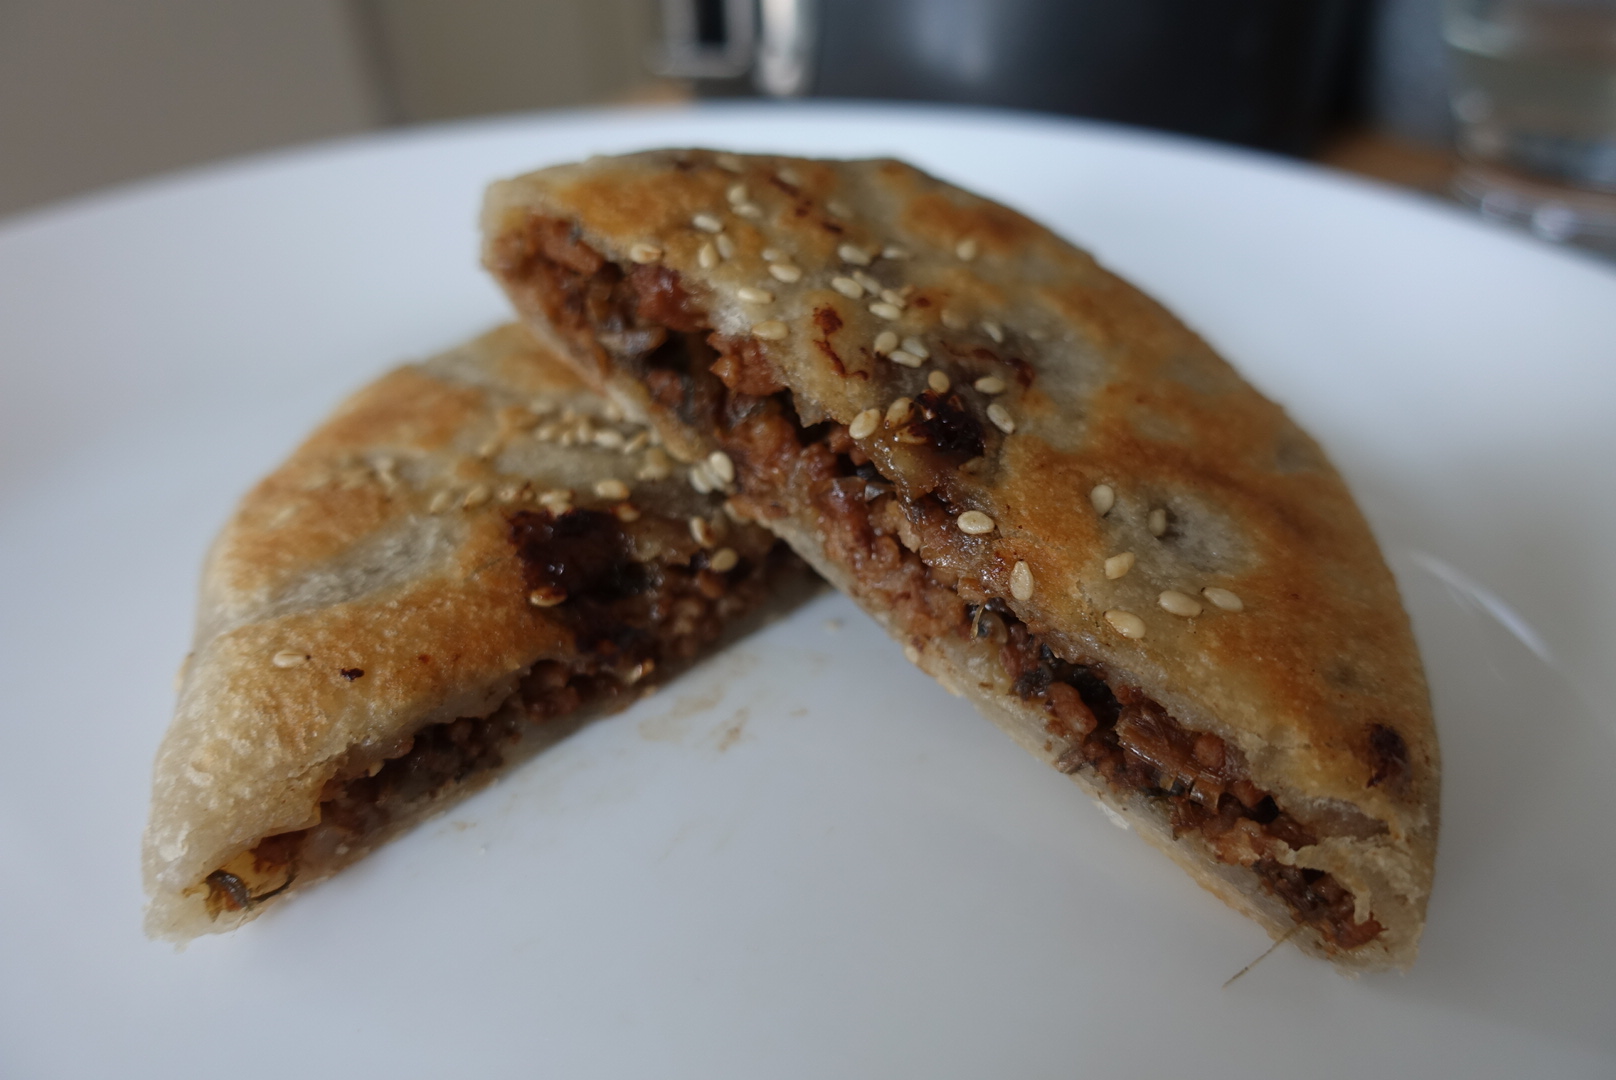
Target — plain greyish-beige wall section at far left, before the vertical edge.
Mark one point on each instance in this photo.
(101, 91)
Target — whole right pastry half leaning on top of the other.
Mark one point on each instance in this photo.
(1063, 502)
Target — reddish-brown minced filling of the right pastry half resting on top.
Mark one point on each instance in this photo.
(725, 392)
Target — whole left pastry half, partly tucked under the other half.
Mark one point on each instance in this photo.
(469, 559)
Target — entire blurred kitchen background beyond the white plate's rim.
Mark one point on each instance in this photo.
(1509, 106)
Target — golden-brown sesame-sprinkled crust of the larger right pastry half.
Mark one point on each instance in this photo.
(1101, 387)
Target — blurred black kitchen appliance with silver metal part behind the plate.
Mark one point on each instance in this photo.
(1265, 74)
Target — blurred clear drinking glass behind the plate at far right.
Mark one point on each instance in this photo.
(1534, 98)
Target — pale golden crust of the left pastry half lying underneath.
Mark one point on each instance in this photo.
(369, 588)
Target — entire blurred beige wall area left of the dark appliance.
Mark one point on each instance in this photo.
(103, 91)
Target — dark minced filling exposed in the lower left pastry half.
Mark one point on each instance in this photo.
(629, 620)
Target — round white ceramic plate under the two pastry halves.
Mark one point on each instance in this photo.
(804, 859)
